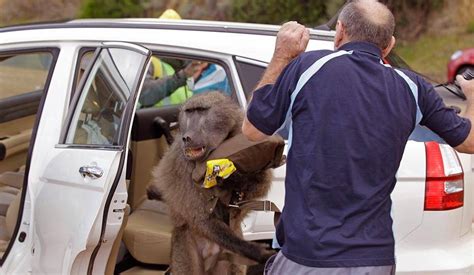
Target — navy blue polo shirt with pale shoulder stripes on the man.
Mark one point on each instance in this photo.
(349, 118)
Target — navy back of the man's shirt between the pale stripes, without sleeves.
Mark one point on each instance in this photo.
(350, 124)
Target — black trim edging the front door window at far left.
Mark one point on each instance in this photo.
(55, 54)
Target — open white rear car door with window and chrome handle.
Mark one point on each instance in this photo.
(78, 196)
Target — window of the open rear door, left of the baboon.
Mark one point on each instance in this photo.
(105, 91)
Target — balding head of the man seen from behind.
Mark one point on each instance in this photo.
(369, 21)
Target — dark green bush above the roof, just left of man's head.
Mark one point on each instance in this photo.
(278, 11)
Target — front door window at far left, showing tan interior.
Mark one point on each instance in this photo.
(23, 76)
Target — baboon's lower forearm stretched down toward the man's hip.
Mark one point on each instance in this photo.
(220, 233)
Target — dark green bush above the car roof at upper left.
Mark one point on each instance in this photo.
(111, 8)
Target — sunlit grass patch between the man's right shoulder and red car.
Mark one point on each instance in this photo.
(430, 54)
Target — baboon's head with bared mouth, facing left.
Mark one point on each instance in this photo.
(205, 122)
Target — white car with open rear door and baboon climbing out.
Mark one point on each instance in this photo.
(76, 151)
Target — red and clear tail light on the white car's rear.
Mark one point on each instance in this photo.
(444, 178)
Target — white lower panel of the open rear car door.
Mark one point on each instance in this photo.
(70, 232)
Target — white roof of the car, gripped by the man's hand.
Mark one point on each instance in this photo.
(255, 41)
